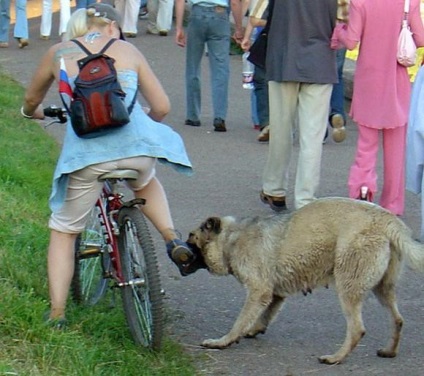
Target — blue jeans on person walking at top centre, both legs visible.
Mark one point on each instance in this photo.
(210, 26)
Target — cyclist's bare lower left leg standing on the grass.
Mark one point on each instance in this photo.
(60, 267)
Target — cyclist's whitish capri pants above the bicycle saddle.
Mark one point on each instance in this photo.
(84, 189)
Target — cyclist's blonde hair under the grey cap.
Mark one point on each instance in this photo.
(83, 20)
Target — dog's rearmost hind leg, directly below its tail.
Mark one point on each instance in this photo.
(385, 292)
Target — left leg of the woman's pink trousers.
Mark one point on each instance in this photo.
(362, 172)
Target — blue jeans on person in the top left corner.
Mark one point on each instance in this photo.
(21, 25)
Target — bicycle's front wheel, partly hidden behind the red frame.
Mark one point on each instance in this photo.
(88, 284)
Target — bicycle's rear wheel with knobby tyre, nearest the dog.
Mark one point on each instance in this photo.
(142, 299)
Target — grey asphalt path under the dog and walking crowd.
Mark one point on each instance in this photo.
(227, 181)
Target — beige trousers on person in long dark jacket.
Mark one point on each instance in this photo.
(307, 106)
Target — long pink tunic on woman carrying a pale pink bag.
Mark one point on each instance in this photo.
(381, 87)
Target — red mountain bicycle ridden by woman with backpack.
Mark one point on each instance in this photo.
(116, 251)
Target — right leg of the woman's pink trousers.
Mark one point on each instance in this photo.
(393, 193)
